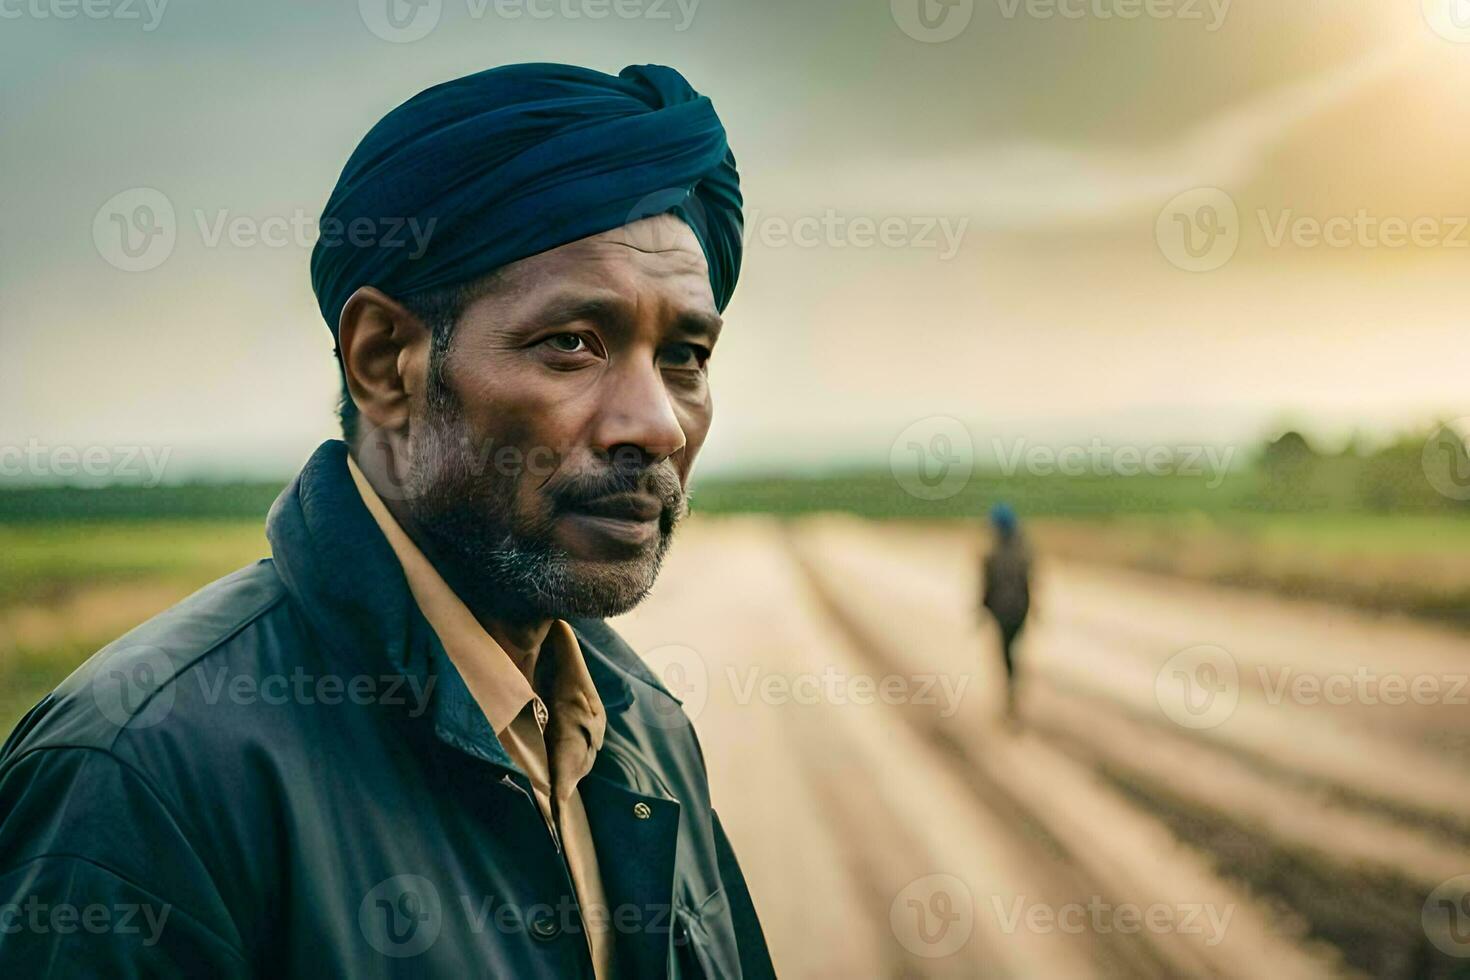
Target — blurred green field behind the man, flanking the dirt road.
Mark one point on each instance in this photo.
(83, 566)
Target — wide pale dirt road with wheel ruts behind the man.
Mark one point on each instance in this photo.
(1206, 782)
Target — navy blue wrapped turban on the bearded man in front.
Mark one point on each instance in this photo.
(509, 162)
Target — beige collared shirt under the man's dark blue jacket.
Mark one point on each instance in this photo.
(553, 744)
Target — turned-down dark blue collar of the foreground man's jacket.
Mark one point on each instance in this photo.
(348, 583)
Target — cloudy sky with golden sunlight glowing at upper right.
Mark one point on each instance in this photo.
(1052, 221)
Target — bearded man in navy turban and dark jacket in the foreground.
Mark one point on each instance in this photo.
(408, 744)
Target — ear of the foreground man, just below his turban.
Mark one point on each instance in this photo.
(386, 358)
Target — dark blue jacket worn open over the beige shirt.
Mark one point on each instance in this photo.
(286, 777)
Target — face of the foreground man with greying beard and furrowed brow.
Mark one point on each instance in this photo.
(551, 462)
